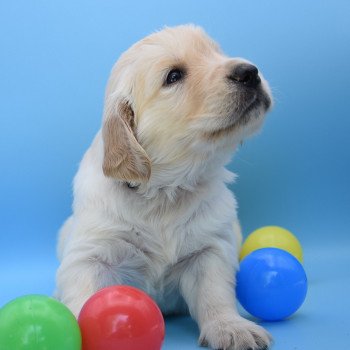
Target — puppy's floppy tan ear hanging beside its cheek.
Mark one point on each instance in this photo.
(124, 158)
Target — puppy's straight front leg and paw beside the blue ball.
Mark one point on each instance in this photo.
(207, 285)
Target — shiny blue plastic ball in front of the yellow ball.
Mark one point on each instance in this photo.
(271, 284)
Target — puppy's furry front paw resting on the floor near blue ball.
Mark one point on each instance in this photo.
(234, 334)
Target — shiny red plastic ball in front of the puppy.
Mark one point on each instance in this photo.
(121, 318)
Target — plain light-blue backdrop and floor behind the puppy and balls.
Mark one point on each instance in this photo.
(54, 63)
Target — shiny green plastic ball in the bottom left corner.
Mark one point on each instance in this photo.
(36, 322)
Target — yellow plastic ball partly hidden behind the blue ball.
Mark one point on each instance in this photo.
(272, 237)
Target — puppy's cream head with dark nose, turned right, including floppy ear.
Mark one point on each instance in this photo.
(175, 96)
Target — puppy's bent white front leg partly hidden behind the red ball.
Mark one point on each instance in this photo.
(93, 264)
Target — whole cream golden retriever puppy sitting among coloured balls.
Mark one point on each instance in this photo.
(151, 207)
